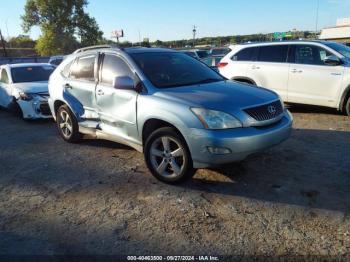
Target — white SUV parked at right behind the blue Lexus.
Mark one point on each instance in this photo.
(303, 72)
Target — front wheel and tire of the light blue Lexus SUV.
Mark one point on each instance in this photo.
(167, 156)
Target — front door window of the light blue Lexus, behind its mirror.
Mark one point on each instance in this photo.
(114, 66)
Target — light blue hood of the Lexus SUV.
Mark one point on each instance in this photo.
(226, 96)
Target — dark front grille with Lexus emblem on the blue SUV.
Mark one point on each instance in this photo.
(265, 112)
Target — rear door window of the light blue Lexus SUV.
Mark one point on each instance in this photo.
(83, 68)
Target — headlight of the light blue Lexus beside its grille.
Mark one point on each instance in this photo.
(215, 119)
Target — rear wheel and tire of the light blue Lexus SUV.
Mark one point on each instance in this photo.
(67, 125)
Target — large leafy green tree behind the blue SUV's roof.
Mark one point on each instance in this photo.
(64, 25)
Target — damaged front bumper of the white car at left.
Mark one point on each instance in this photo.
(37, 108)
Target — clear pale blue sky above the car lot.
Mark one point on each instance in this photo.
(172, 20)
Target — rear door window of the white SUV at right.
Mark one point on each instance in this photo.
(274, 53)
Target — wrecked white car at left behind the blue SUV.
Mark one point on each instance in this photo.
(24, 89)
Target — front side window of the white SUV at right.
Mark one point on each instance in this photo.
(310, 55)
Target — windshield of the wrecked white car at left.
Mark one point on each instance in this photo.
(31, 73)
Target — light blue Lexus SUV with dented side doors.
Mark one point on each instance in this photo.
(180, 113)
